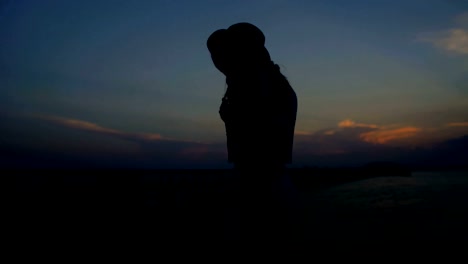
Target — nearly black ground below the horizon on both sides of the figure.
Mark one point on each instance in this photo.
(196, 205)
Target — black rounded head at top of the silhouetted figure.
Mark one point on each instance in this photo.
(237, 49)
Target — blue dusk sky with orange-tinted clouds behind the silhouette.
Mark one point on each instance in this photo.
(132, 82)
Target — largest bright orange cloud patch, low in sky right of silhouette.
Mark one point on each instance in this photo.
(385, 135)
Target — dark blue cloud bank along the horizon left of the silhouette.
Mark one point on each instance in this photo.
(55, 142)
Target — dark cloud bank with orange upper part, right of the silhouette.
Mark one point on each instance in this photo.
(348, 145)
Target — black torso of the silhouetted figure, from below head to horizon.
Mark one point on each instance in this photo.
(259, 112)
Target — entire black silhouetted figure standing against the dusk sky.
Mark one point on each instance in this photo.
(259, 112)
